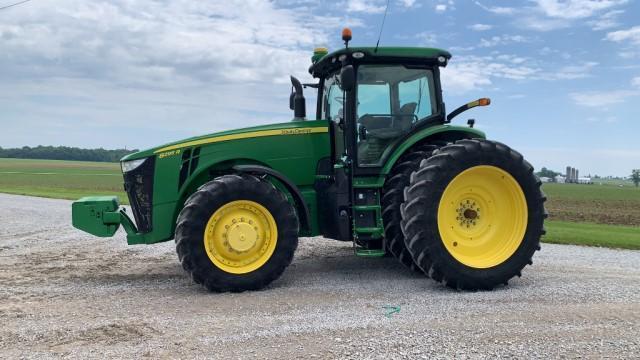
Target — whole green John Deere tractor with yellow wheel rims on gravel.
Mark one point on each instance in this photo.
(379, 165)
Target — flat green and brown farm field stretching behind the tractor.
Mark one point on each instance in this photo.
(595, 215)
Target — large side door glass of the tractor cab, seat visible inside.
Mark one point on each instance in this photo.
(392, 99)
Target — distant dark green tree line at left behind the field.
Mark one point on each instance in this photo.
(65, 153)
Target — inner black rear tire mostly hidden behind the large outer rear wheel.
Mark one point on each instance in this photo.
(392, 198)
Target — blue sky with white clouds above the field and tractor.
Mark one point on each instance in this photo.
(564, 76)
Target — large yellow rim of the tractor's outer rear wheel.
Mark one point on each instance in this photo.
(482, 216)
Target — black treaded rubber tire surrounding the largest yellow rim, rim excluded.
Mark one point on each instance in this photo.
(447, 164)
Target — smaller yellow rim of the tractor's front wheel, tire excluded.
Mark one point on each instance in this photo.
(240, 236)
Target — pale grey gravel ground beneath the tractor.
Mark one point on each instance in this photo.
(65, 294)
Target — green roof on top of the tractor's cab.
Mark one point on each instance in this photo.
(331, 61)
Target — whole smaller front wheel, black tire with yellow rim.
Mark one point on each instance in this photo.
(215, 237)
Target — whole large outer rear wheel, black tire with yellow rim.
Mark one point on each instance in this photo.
(483, 247)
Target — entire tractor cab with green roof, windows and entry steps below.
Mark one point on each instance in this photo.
(374, 100)
